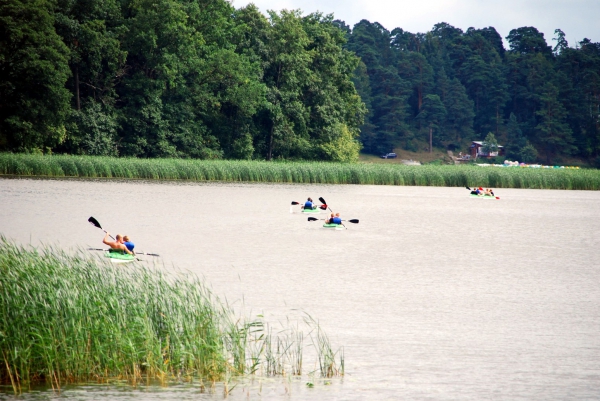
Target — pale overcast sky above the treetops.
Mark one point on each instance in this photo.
(578, 19)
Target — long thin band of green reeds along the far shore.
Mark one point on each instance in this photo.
(297, 172)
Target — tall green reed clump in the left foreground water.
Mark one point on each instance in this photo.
(72, 318)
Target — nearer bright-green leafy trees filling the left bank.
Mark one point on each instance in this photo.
(175, 78)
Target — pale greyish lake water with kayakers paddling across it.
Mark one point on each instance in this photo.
(433, 295)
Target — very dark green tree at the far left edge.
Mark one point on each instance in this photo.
(33, 71)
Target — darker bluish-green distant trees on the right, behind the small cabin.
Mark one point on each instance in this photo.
(541, 102)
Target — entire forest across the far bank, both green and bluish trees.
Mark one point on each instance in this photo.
(201, 79)
